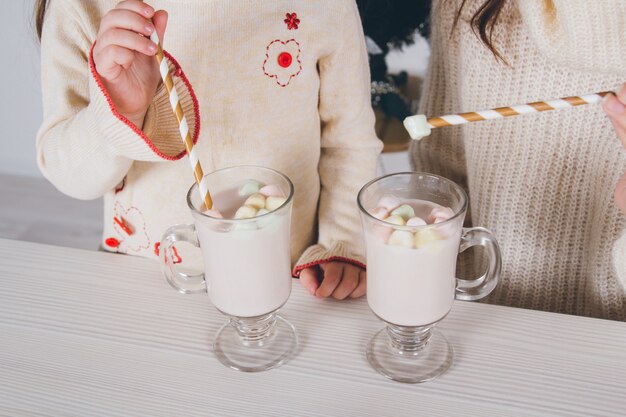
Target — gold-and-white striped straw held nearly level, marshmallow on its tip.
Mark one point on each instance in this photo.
(500, 112)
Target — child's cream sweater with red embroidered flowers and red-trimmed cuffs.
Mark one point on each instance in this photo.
(310, 119)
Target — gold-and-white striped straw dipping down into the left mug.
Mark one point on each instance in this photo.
(182, 123)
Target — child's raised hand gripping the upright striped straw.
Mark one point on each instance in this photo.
(125, 61)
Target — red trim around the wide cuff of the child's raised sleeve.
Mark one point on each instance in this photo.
(139, 132)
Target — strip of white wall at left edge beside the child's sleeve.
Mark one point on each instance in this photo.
(20, 102)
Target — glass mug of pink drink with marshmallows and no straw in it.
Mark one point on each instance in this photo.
(412, 288)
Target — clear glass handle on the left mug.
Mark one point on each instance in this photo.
(184, 283)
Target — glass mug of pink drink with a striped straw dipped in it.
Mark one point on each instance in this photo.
(247, 269)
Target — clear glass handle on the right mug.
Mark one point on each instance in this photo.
(475, 289)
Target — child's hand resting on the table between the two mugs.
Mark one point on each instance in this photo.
(337, 279)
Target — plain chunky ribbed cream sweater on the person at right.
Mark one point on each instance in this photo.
(542, 183)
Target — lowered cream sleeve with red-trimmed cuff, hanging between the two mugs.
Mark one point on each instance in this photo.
(349, 147)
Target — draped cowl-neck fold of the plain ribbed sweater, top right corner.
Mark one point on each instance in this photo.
(582, 34)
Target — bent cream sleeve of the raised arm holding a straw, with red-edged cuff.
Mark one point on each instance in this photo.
(84, 146)
